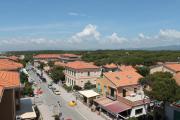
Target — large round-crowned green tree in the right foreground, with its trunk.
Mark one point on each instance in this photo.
(163, 88)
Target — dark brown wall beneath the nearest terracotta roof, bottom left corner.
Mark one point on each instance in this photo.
(7, 106)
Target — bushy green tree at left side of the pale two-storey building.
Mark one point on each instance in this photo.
(57, 74)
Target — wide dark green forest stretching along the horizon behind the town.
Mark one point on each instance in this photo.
(129, 57)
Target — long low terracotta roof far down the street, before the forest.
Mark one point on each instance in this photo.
(47, 56)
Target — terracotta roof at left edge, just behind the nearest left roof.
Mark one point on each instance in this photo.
(6, 64)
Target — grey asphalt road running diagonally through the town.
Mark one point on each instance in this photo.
(50, 99)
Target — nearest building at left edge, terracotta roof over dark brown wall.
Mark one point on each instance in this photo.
(9, 94)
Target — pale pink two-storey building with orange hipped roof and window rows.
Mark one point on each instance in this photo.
(80, 72)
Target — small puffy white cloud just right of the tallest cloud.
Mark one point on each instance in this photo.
(114, 38)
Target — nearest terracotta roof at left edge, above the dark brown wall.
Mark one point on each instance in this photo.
(8, 80)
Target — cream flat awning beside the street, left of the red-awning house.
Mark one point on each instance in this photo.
(88, 93)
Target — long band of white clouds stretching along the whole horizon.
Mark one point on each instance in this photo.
(91, 38)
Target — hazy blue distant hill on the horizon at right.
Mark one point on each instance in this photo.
(171, 47)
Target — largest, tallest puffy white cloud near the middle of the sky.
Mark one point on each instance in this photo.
(88, 33)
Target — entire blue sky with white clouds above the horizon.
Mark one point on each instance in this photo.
(88, 24)
